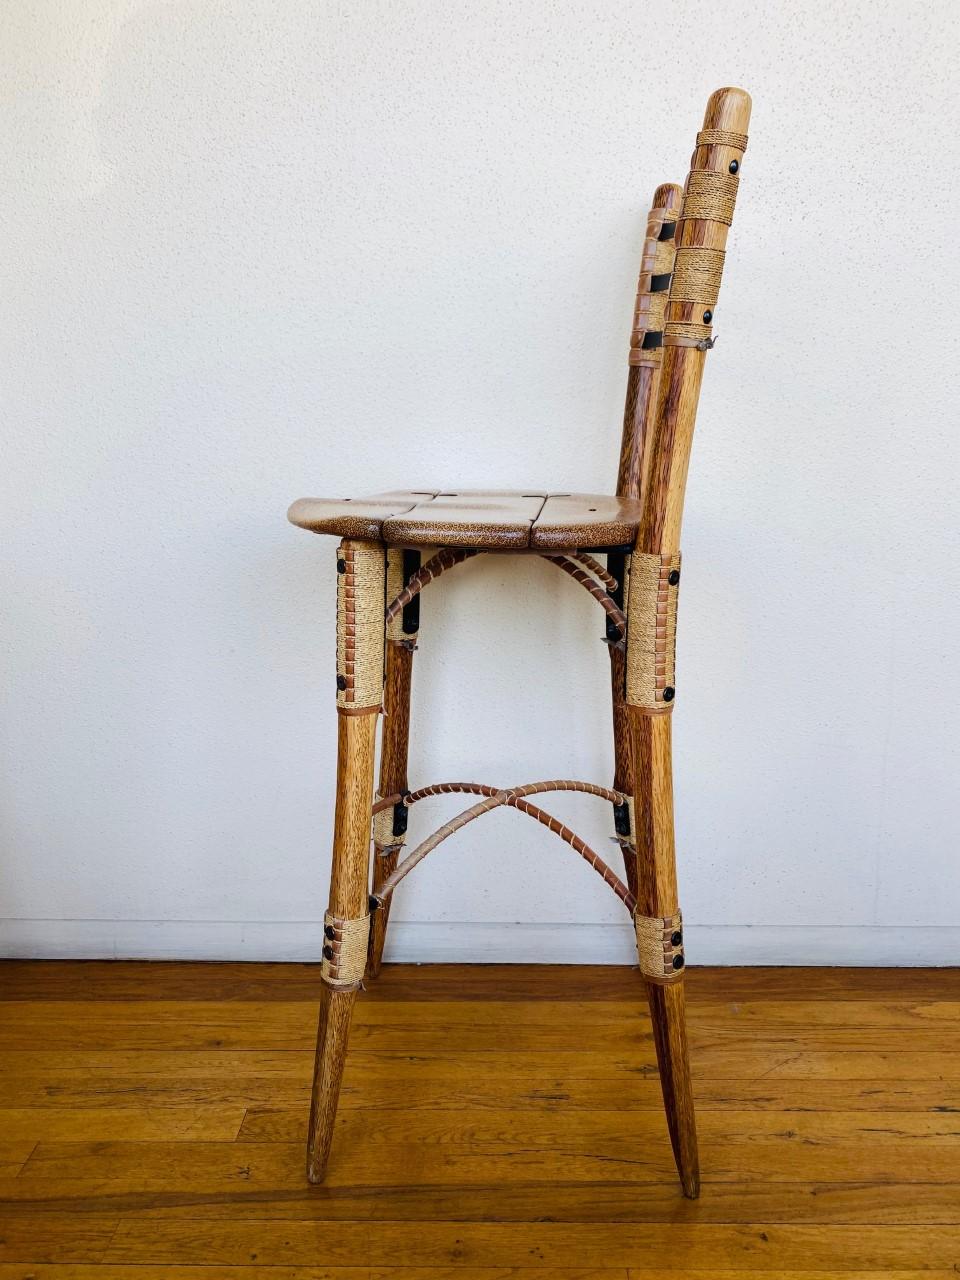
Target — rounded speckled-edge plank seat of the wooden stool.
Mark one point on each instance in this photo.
(492, 520)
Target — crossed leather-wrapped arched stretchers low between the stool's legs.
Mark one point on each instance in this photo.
(513, 798)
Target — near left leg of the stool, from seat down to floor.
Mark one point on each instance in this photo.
(360, 601)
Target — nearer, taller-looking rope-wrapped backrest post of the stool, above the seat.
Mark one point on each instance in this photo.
(710, 198)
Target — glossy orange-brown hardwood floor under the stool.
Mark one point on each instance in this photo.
(496, 1122)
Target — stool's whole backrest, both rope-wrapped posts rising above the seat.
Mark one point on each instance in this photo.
(673, 327)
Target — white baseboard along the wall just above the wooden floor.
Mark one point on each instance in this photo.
(478, 944)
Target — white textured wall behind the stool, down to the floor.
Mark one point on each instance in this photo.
(255, 252)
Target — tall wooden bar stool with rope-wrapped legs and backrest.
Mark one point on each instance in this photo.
(394, 545)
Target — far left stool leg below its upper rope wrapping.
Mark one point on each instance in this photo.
(394, 781)
